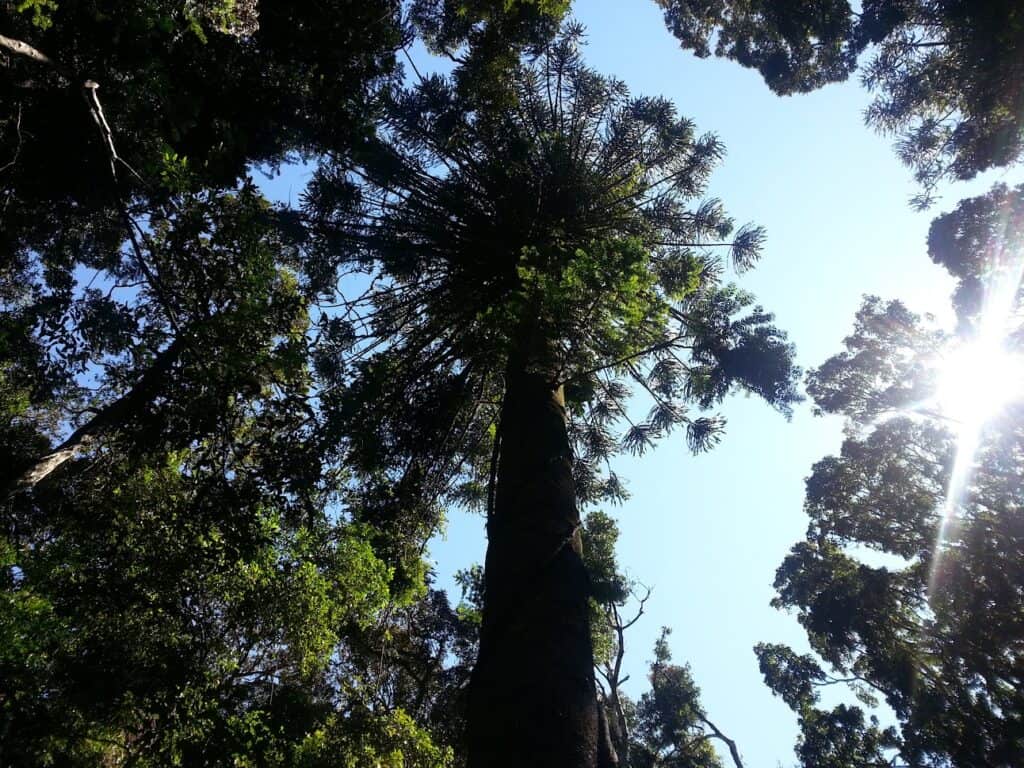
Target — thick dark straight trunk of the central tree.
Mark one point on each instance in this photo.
(533, 699)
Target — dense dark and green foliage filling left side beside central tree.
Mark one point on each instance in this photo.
(180, 572)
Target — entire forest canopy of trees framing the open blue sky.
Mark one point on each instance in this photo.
(235, 423)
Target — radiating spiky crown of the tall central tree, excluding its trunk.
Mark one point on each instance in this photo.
(571, 207)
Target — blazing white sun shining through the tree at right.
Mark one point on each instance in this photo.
(975, 381)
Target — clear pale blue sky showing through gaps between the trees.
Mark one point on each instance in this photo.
(707, 533)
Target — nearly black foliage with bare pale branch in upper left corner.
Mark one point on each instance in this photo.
(207, 88)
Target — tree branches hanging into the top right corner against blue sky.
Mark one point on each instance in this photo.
(945, 72)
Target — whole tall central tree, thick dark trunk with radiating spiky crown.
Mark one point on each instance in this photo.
(534, 249)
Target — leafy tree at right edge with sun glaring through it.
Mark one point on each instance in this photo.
(934, 628)
